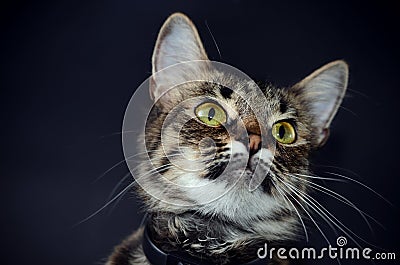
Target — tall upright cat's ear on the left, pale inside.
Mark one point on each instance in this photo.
(178, 41)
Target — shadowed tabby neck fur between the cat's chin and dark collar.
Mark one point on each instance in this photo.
(217, 240)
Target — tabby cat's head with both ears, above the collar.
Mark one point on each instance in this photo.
(222, 145)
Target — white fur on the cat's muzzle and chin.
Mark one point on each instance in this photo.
(231, 198)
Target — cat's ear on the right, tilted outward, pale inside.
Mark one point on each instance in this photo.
(323, 92)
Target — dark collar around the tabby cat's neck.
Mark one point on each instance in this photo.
(156, 256)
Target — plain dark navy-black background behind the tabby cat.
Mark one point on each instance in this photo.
(69, 68)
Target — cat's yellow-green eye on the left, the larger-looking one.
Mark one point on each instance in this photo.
(211, 114)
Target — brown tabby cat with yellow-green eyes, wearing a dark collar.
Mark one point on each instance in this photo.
(248, 146)
